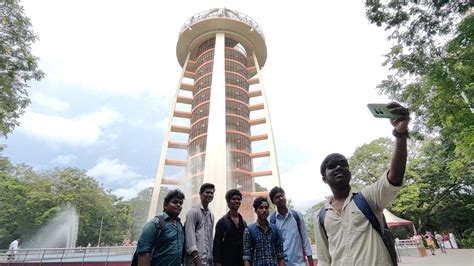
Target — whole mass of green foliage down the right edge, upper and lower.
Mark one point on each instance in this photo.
(433, 74)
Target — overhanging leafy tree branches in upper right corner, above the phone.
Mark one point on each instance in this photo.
(433, 70)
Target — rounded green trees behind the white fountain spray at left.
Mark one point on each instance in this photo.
(30, 199)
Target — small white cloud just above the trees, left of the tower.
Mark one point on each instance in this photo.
(119, 177)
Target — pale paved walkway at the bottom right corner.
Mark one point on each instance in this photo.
(456, 257)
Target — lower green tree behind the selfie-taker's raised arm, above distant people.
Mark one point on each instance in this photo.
(436, 194)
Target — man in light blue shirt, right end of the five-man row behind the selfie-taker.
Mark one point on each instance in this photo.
(290, 224)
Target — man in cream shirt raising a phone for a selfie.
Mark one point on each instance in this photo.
(346, 236)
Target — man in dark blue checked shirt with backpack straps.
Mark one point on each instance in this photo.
(263, 245)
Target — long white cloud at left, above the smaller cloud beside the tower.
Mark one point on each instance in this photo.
(84, 130)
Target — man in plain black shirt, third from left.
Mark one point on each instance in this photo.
(228, 240)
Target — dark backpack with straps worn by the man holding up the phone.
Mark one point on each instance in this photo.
(386, 236)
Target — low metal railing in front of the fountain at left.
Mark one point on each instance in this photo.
(60, 255)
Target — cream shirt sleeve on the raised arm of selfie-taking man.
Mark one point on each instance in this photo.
(381, 193)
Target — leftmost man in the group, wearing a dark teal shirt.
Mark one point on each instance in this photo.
(162, 239)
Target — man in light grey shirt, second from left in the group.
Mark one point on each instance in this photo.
(198, 229)
